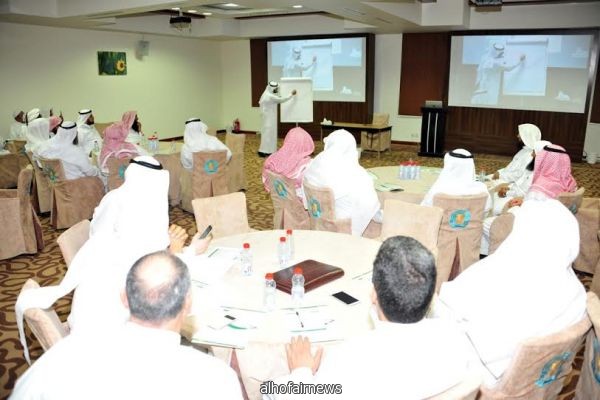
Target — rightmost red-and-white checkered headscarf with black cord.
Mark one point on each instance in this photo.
(552, 172)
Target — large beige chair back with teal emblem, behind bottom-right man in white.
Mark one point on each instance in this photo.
(539, 366)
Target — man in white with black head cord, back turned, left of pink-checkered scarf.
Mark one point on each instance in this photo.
(75, 161)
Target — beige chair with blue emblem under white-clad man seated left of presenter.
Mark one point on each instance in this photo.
(209, 177)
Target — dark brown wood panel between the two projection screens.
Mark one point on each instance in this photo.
(424, 70)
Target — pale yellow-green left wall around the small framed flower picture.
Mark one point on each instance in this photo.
(44, 66)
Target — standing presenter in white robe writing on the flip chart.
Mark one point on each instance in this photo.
(268, 108)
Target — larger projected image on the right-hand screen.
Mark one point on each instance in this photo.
(535, 72)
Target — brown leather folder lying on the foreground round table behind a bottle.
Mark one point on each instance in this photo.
(315, 273)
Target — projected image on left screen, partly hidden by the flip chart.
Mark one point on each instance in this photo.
(336, 66)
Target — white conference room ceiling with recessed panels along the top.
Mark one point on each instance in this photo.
(260, 18)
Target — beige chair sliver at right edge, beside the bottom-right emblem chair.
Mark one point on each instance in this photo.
(588, 385)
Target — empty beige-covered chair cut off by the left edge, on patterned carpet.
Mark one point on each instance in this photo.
(21, 231)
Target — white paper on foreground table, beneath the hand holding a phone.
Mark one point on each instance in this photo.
(209, 268)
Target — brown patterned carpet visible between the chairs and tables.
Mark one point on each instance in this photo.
(48, 266)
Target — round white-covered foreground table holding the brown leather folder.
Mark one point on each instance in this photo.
(241, 296)
